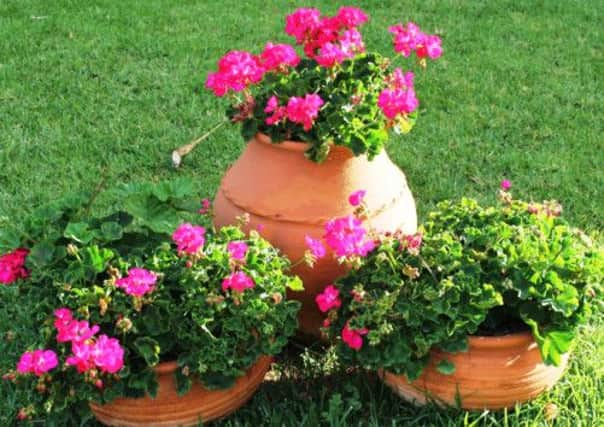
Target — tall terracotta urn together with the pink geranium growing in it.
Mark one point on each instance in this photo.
(317, 128)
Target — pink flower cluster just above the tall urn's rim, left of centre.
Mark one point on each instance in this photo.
(301, 110)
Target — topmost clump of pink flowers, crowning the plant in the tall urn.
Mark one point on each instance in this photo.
(330, 39)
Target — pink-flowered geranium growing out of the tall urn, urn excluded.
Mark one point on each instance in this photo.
(339, 94)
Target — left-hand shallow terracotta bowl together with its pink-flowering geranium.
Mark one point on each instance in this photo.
(141, 325)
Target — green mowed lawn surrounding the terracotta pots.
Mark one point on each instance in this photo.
(109, 88)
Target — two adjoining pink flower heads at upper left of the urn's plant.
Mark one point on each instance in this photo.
(237, 70)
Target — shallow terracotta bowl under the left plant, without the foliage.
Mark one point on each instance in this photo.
(169, 409)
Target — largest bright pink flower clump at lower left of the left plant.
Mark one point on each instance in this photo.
(88, 351)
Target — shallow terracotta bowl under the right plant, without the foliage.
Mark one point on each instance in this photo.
(495, 373)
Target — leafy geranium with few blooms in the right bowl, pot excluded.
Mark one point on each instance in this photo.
(471, 270)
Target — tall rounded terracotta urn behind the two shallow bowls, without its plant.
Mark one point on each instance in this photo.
(289, 197)
